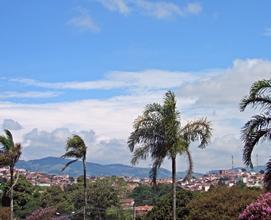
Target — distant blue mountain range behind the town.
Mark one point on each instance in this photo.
(53, 165)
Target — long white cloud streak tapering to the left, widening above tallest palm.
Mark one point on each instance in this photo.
(133, 80)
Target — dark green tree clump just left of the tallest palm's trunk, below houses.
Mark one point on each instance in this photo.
(147, 195)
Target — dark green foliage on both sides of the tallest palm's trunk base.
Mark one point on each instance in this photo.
(163, 210)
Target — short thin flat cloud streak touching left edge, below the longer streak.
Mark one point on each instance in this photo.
(15, 94)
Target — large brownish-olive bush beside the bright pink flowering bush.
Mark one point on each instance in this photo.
(221, 203)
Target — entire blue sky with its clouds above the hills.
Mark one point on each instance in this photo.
(120, 54)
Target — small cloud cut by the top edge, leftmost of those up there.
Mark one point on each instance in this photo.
(116, 5)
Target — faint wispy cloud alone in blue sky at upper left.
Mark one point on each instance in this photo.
(83, 21)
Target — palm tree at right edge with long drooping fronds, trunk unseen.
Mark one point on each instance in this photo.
(259, 126)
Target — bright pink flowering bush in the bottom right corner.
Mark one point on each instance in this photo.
(261, 209)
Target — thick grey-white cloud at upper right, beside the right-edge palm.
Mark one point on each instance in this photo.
(227, 86)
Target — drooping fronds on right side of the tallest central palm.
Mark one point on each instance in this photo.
(197, 130)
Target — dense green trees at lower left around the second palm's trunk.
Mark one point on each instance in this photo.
(102, 194)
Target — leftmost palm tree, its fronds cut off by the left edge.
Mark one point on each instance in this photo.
(9, 155)
